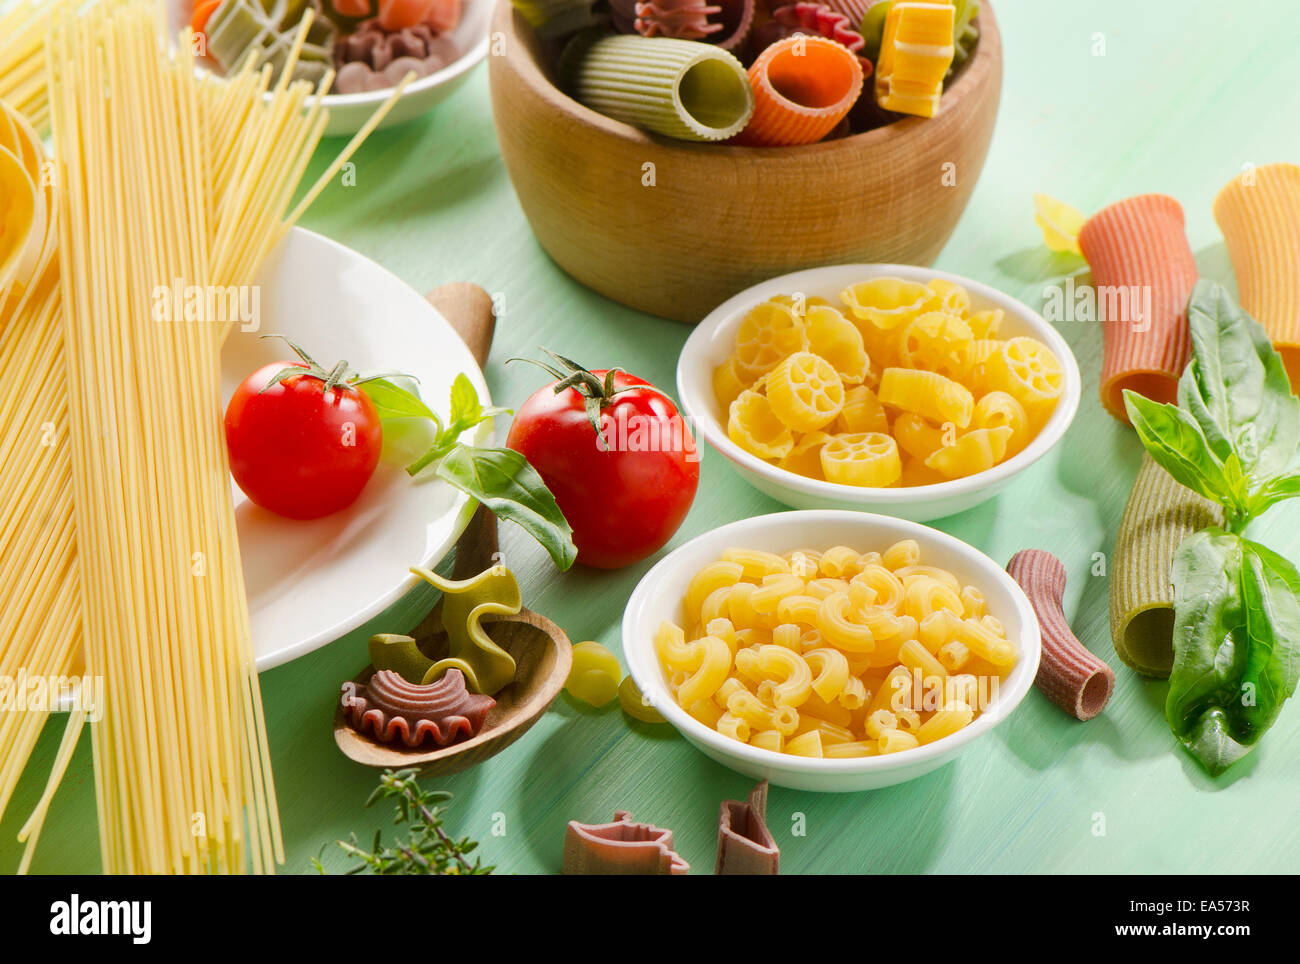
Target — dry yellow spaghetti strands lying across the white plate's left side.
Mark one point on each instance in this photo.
(164, 179)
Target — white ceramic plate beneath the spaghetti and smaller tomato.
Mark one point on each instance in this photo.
(311, 583)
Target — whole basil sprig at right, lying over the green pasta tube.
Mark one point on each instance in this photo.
(1233, 438)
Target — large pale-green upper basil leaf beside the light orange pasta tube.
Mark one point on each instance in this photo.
(1237, 388)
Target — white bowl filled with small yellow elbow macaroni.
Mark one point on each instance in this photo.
(831, 650)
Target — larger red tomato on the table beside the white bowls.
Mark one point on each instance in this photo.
(625, 502)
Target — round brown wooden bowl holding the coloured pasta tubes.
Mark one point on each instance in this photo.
(722, 219)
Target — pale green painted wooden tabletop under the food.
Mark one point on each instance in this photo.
(1102, 101)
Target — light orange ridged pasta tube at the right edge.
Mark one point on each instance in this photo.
(1259, 214)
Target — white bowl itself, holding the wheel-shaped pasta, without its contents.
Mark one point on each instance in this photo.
(713, 342)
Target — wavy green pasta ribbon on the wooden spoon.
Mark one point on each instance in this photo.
(495, 592)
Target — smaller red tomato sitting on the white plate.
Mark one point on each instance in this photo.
(298, 450)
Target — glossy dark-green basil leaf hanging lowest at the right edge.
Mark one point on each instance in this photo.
(1237, 645)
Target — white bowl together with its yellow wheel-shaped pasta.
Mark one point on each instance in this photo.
(892, 389)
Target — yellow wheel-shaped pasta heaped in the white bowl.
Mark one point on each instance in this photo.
(905, 387)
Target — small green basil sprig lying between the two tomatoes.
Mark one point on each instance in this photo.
(500, 479)
